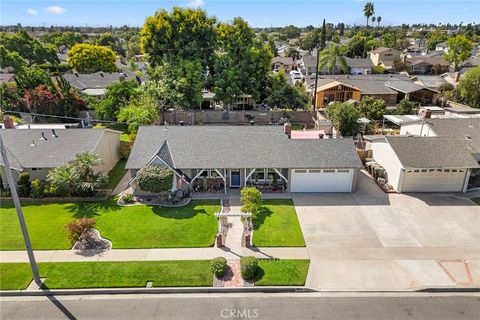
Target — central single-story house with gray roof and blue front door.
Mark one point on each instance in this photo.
(237, 156)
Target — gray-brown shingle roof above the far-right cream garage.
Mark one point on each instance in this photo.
(430, 152)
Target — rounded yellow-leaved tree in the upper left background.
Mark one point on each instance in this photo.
(88, 58)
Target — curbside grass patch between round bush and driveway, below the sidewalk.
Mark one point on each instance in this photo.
(281, 272)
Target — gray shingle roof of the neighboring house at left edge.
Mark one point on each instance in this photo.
(50, 153)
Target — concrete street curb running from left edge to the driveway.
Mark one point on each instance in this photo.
(169, 290)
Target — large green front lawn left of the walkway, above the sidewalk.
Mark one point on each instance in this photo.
(127, 227)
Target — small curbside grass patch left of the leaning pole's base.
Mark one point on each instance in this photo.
(15, 276)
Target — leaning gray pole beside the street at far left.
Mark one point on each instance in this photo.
(21, 219)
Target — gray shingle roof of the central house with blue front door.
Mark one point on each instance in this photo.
(195, 147)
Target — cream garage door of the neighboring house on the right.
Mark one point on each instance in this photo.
(434, 180)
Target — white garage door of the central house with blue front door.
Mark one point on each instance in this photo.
(321, 180)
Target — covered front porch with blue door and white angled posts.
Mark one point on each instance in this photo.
(212, 180)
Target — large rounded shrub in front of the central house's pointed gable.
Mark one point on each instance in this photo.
(155, 179)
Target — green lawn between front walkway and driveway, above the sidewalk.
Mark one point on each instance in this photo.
(277, 225)
